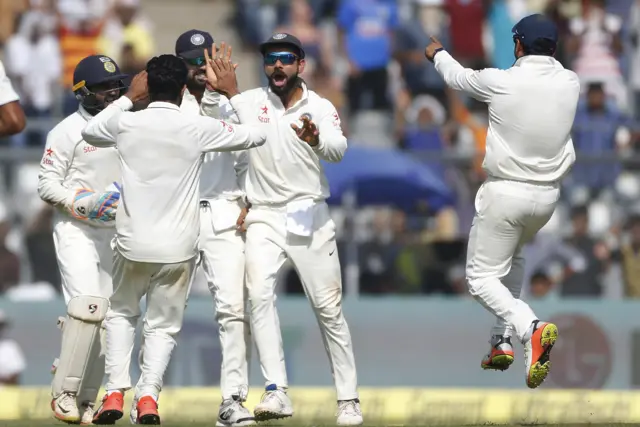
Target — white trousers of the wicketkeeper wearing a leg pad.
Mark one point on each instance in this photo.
(85, 260)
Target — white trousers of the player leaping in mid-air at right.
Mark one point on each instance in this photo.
(508, 215)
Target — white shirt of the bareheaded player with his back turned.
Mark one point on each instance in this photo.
(160, 150)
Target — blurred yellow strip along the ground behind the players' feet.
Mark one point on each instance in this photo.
(25, 406)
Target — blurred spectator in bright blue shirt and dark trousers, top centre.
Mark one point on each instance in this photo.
(366, 35)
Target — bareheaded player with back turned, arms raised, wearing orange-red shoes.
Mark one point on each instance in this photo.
(158, 224)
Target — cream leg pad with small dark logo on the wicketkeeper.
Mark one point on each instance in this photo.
(80, 363)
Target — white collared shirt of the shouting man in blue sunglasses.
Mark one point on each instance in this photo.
(285, 168)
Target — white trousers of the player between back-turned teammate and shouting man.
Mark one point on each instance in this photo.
(223, 262)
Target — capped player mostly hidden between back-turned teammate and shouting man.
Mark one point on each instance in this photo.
(221, 244)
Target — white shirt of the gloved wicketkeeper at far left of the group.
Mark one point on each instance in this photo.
(69, 164)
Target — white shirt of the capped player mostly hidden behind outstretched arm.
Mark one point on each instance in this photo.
(222, 172)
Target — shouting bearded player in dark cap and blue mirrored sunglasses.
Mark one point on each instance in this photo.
(289, 219)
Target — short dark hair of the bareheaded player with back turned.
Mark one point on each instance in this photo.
(166, 76)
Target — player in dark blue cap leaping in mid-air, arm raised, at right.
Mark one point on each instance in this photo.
(528, 151)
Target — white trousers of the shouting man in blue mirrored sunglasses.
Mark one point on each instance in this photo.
(315, 258)
